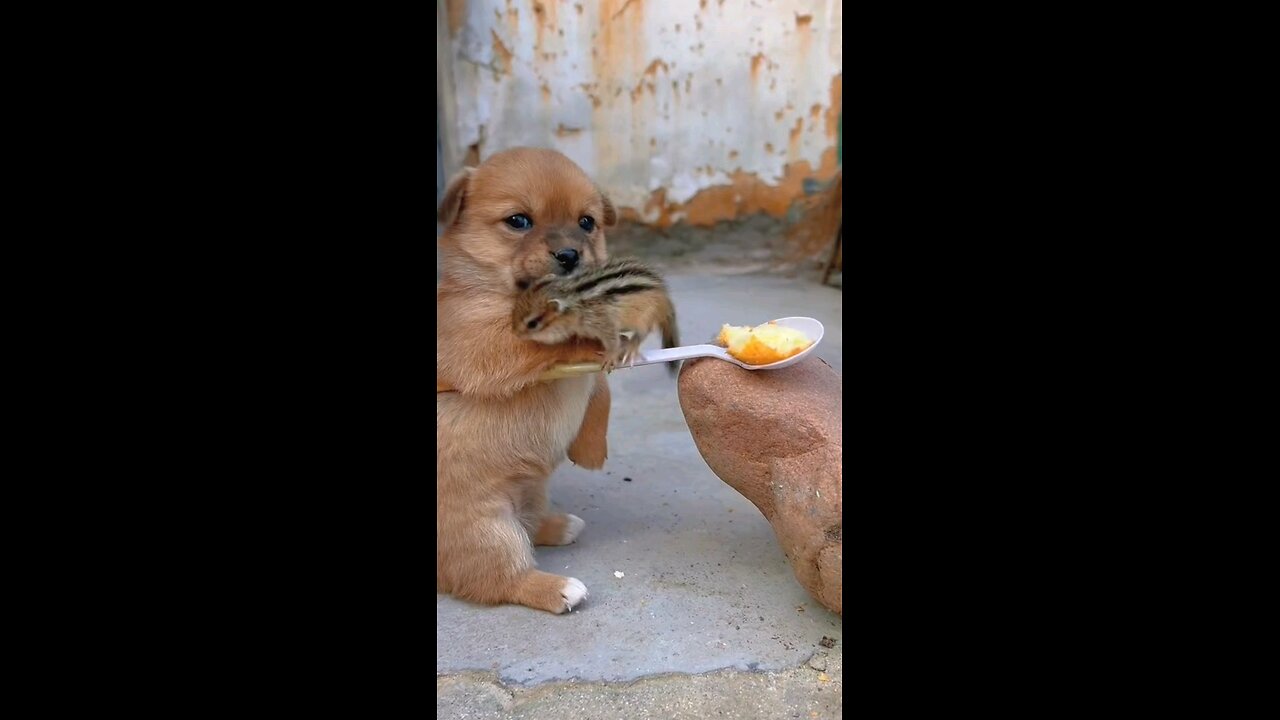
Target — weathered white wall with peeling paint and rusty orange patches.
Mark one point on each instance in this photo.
(696, 111)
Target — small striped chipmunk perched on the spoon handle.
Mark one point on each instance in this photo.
(619, 304)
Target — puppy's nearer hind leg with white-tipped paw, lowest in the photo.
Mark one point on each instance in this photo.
(492, 563)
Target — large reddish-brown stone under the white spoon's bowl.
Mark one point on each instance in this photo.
(775, 436)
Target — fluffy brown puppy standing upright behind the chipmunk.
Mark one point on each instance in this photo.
(522, 215)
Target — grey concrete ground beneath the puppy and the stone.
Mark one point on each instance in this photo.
(707, 618)
